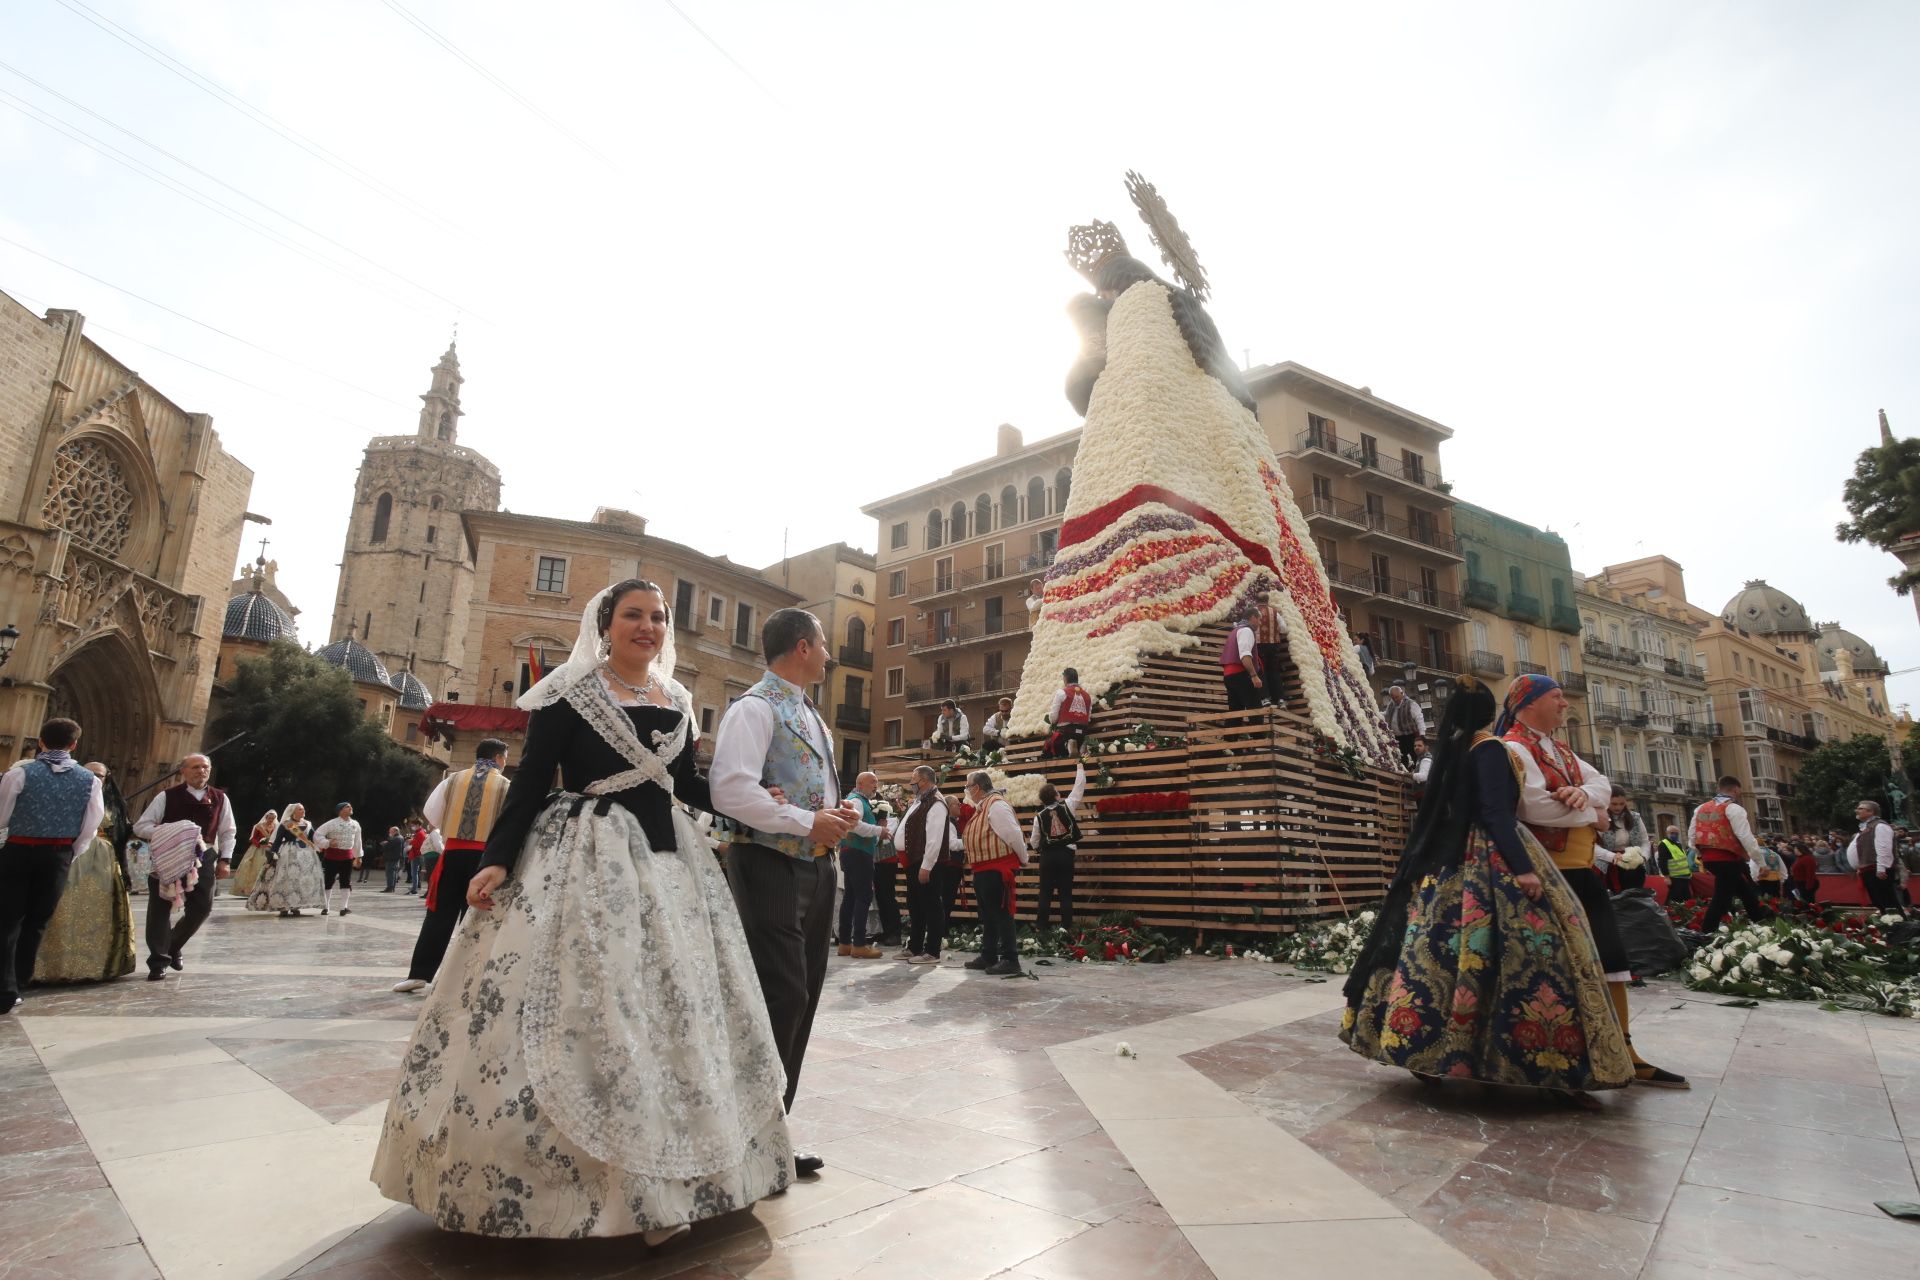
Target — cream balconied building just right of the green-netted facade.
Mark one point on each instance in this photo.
(1652, 719)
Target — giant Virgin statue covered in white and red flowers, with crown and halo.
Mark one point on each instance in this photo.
(1180, 515)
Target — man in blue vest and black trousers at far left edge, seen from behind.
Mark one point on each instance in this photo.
(51, 811)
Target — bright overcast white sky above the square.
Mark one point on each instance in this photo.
(742, 268)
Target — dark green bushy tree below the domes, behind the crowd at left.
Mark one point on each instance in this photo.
(308, 740)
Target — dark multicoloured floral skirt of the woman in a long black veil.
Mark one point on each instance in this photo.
(1495, 987)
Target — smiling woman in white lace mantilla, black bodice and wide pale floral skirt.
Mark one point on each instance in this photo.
(596, 1058)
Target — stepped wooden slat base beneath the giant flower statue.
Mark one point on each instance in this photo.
(1278, 836)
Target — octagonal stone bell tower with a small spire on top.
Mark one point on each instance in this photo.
(406, 577)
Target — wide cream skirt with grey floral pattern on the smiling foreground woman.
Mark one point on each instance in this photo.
(596, 1056)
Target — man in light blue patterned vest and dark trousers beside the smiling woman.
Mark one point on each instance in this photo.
(782, 876)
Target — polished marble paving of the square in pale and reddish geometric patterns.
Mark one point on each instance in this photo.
(222, 1124)
